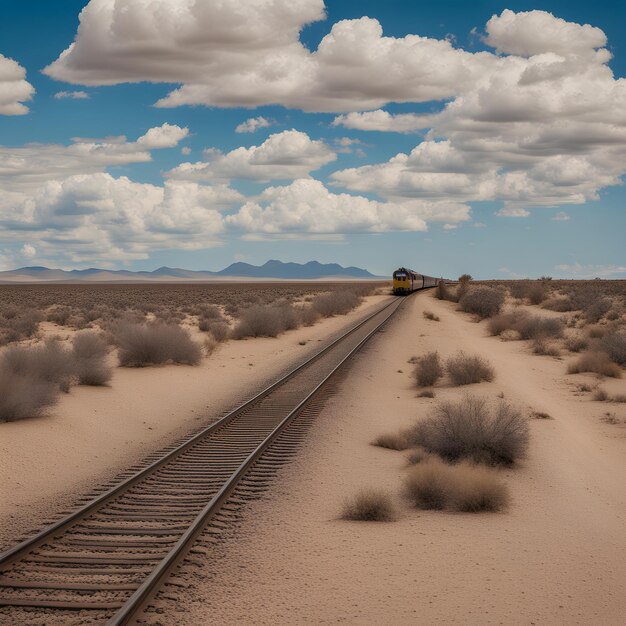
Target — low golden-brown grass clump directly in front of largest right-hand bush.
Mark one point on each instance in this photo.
(464, 487)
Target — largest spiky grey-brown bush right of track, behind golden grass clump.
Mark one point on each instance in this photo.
(475, 430)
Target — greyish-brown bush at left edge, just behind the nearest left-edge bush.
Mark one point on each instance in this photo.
(49, 362)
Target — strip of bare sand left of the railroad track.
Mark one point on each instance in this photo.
(94, 433)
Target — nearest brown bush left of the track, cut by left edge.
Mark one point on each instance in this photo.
(23, 395)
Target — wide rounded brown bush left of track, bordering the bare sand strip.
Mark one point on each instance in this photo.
(154, 343)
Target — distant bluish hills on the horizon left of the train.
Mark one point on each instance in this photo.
(272, 270)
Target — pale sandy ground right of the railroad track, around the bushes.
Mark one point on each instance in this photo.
(557, 556)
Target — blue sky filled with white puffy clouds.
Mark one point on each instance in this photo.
(512, 166)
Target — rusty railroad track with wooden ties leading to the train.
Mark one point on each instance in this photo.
(104, 561)
